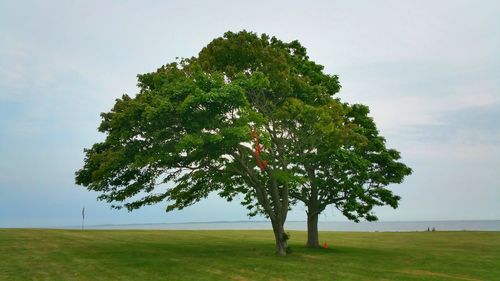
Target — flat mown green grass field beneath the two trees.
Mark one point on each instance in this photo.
(33, 254)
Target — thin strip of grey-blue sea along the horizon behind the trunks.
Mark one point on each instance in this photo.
(393, 226)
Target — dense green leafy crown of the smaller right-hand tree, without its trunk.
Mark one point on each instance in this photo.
(345, 162)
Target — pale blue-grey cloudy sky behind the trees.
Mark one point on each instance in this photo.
(428, 70)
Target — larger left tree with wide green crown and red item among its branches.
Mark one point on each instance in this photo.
(194, 125)
